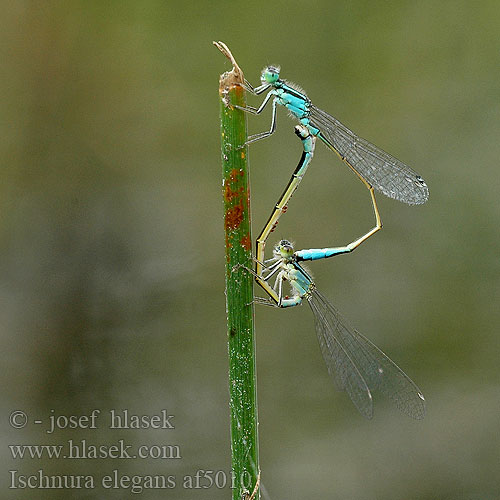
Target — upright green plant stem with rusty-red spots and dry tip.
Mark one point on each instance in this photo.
(239, 283)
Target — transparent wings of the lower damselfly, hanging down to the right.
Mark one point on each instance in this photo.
(339, 341)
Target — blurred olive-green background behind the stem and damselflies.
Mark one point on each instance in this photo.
(112, 246)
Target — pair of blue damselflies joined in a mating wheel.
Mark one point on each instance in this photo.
(356, 364)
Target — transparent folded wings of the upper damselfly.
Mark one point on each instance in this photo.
(380, 169)
